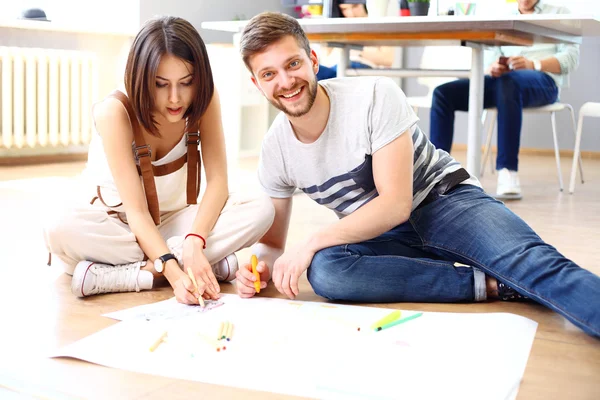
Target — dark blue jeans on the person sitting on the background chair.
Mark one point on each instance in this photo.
(509, 93)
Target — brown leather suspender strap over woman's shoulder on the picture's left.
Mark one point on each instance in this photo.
(143, 155)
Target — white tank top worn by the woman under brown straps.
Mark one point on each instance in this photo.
(171, 188)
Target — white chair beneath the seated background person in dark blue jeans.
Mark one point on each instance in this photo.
(552, 109)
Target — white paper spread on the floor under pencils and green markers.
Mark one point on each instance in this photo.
(315, 349)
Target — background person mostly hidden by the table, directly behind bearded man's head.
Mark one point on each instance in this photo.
(369, 57)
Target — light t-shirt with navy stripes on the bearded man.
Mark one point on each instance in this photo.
(366, 113)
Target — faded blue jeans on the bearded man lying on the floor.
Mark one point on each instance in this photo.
(414, 262)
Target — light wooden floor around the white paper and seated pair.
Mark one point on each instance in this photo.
(39, 312)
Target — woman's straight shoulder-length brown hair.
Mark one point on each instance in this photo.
(160, 36)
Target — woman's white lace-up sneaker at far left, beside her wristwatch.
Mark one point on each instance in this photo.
(91, 278)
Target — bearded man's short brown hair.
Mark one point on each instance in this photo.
(267, 28)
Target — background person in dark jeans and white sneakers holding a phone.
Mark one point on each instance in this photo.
(517, 77)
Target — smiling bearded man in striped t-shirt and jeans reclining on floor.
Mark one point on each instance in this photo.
(408, 211)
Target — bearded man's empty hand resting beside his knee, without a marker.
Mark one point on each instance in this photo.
(289, 267)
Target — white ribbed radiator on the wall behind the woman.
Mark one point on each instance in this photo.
(46, 97)
